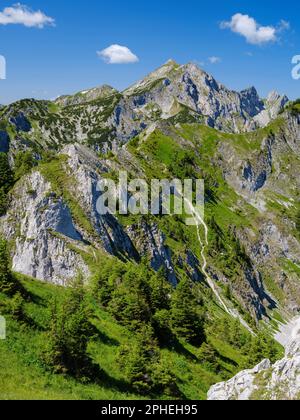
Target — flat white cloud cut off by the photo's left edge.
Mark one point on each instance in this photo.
(23, 15)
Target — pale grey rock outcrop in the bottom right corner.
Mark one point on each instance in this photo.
(266, 382)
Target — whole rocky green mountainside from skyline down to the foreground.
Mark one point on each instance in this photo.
(194, 304)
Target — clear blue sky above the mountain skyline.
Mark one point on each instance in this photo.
(48, 61)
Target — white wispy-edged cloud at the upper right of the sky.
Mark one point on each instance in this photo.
(253, 32)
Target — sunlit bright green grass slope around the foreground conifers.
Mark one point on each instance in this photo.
(23, 375)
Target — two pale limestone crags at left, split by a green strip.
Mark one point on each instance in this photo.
(41, 226)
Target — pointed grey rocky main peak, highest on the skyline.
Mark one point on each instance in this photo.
(172, 89)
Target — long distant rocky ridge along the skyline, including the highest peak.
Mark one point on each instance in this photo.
(173, 92)
